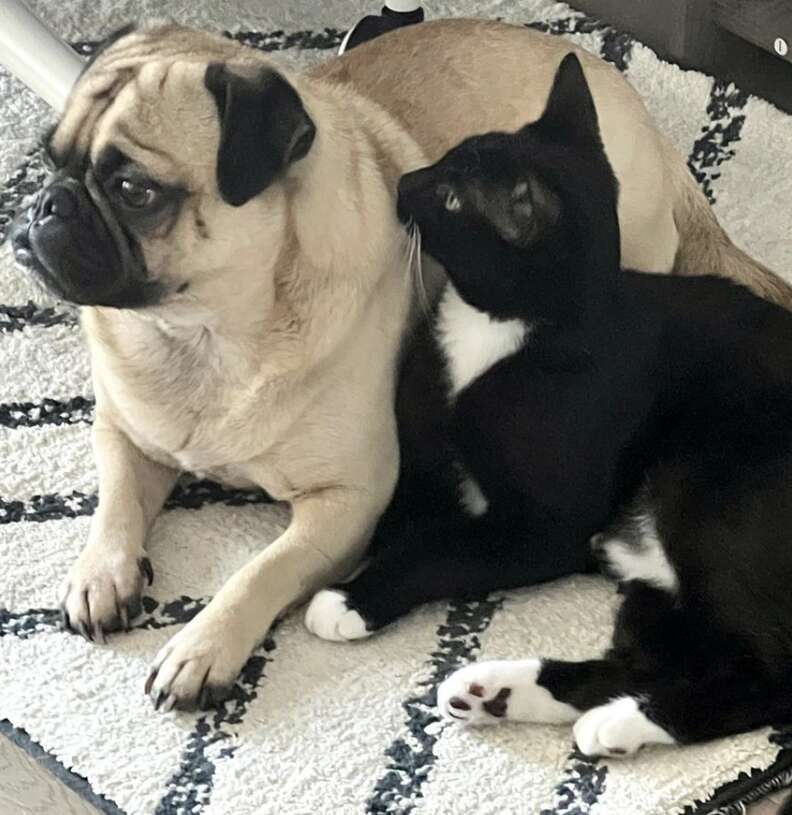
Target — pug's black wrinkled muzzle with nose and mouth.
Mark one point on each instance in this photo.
(71, 240)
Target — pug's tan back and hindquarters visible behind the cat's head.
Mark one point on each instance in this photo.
(503, 74)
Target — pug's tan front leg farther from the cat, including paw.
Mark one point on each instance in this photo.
(102, 590)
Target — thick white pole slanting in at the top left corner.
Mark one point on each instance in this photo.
(36, 55)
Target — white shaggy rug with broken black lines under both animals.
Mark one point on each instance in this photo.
(318, 727)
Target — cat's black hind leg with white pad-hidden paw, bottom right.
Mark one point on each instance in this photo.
(693, 681)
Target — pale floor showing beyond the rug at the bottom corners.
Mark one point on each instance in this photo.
(28, 789)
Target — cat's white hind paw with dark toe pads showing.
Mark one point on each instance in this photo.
(500, 690)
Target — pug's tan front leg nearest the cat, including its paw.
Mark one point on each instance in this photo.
(327, 534)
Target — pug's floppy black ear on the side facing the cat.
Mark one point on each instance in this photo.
(263, 128)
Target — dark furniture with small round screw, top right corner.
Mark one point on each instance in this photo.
(731, 39)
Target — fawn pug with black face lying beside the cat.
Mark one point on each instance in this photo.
(229, 230)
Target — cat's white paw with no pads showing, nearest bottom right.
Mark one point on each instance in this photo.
(617, 729)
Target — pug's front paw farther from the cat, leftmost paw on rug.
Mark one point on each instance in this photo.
(102, 591)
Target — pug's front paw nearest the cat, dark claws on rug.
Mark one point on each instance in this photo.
(198, 666)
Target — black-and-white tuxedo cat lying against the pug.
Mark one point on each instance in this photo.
(576, 398)
